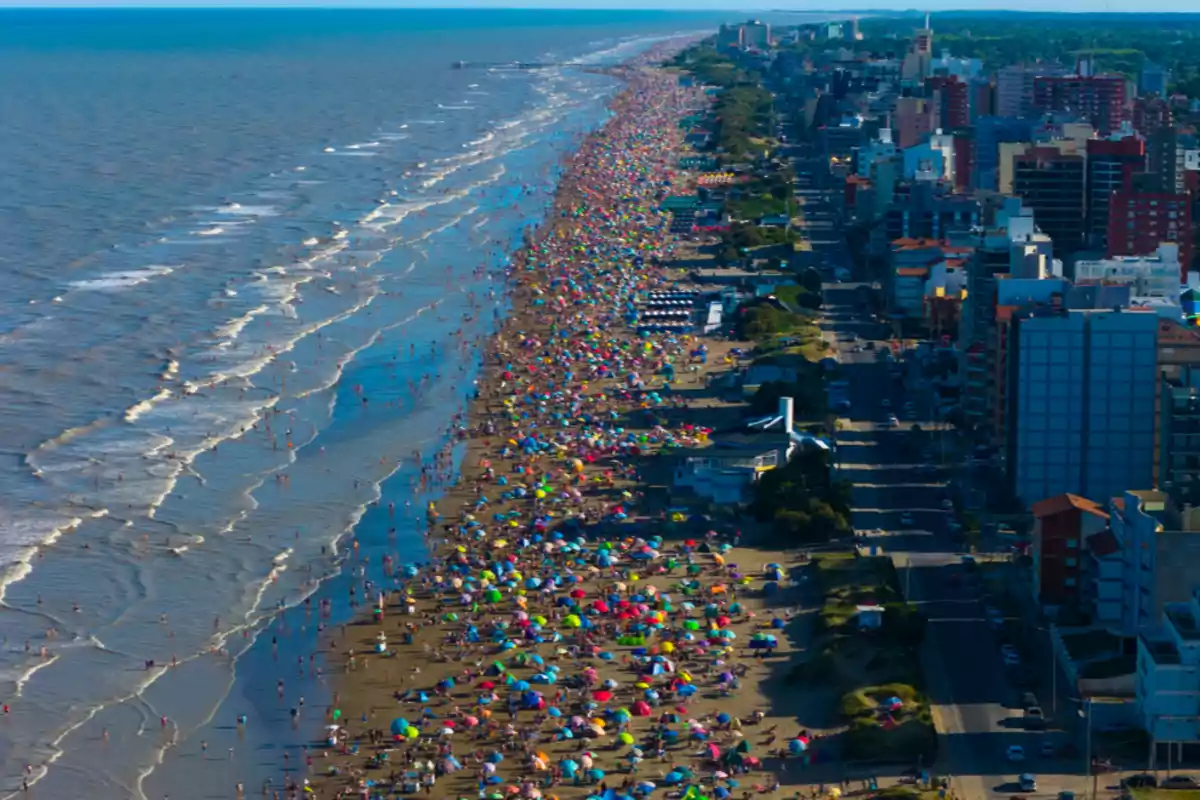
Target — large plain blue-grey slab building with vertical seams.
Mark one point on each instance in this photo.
(1082, 402)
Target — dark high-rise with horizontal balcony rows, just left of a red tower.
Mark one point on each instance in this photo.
(1053, 185)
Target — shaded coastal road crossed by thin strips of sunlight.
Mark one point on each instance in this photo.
(901, 503)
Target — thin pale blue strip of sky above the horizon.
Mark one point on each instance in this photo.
(739, 7)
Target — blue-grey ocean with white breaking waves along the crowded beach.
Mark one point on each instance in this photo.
(245, 256)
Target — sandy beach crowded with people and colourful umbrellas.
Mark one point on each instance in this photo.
(551, 648)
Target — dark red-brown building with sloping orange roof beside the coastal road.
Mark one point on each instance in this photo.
(1061, 528)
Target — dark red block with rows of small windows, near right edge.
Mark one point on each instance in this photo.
(1142, 221)
